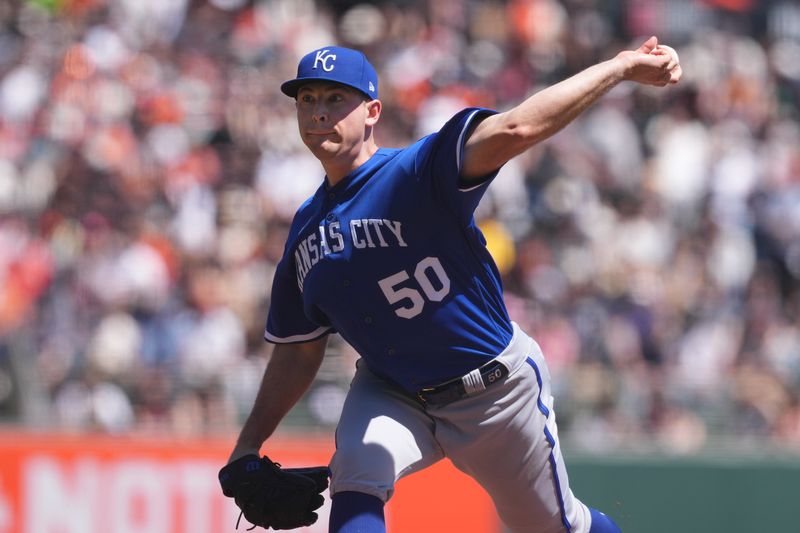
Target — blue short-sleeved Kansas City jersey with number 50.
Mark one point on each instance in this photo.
(391, 258)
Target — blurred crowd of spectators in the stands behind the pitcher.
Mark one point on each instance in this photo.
(150, 167)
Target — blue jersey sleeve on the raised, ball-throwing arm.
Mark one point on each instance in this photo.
(440, 159)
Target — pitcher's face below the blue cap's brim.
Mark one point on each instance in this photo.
(333, 119)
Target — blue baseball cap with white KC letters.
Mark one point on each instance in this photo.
(336, 64)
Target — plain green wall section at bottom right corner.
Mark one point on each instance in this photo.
(691, 495)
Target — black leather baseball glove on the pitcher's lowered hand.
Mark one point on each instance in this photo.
(273, 497)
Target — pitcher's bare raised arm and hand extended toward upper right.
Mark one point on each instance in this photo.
(498, 138)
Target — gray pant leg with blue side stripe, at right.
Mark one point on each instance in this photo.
(505, 441)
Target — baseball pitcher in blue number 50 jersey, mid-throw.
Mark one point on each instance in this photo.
(387, 254)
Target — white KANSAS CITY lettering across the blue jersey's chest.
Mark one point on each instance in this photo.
(364, 233)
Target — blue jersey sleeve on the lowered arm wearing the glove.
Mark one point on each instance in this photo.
(287, 322)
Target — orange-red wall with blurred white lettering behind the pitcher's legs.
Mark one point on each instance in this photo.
(101, 484)
